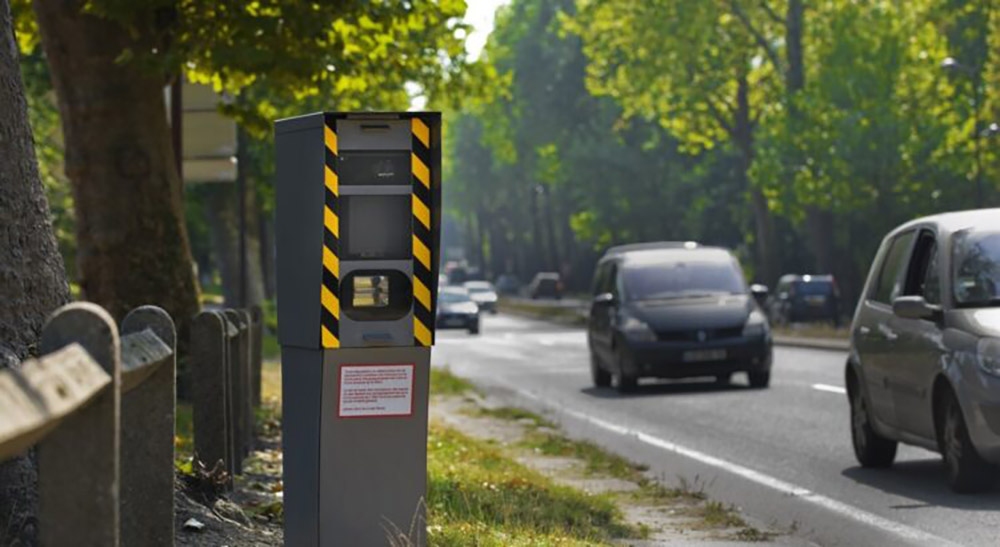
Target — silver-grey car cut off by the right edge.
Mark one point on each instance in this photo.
(924, 365)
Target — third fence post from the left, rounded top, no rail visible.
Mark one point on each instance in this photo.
(210, 388)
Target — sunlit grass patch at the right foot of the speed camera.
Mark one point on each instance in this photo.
(478, 496)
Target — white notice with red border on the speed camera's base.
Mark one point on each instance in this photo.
(376, 390)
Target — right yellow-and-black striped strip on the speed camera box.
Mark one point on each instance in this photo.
(420, 159)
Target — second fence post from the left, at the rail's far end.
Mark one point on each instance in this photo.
(147, 421)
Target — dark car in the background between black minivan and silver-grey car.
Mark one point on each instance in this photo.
(801, 298)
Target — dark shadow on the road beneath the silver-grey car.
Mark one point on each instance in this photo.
(922, 481)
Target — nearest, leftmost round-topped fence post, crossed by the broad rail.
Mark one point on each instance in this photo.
(78, 462)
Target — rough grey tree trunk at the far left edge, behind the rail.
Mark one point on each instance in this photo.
(32, 278)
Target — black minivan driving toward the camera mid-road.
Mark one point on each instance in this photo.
(673, 311)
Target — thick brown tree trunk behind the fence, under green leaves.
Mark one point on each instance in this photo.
(132, 243)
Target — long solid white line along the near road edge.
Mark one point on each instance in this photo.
(860, 515)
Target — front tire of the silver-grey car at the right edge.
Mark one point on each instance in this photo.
(967, 471)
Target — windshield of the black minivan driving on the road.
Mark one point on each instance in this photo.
(658, 280)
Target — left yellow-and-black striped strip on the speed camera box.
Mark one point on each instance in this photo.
(330, 291)
